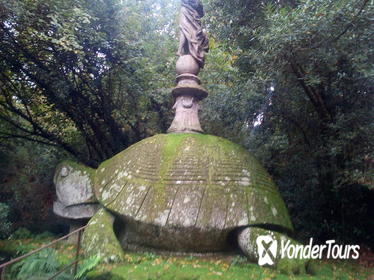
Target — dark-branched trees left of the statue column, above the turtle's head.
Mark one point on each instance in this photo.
(77, 74)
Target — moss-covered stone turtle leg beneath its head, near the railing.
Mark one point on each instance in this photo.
(99, 238)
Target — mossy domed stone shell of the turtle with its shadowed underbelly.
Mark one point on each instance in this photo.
(188, 191)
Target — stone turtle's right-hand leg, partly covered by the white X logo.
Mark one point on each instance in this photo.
(264, 247)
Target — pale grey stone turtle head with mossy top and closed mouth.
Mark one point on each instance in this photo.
(73, 182)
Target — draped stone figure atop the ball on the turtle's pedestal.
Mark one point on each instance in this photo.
(193, 40)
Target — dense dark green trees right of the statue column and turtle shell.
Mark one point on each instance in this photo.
(303, 100)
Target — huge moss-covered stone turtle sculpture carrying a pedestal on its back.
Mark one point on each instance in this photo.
(181, 192)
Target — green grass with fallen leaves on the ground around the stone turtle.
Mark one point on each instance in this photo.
(150, 266)
